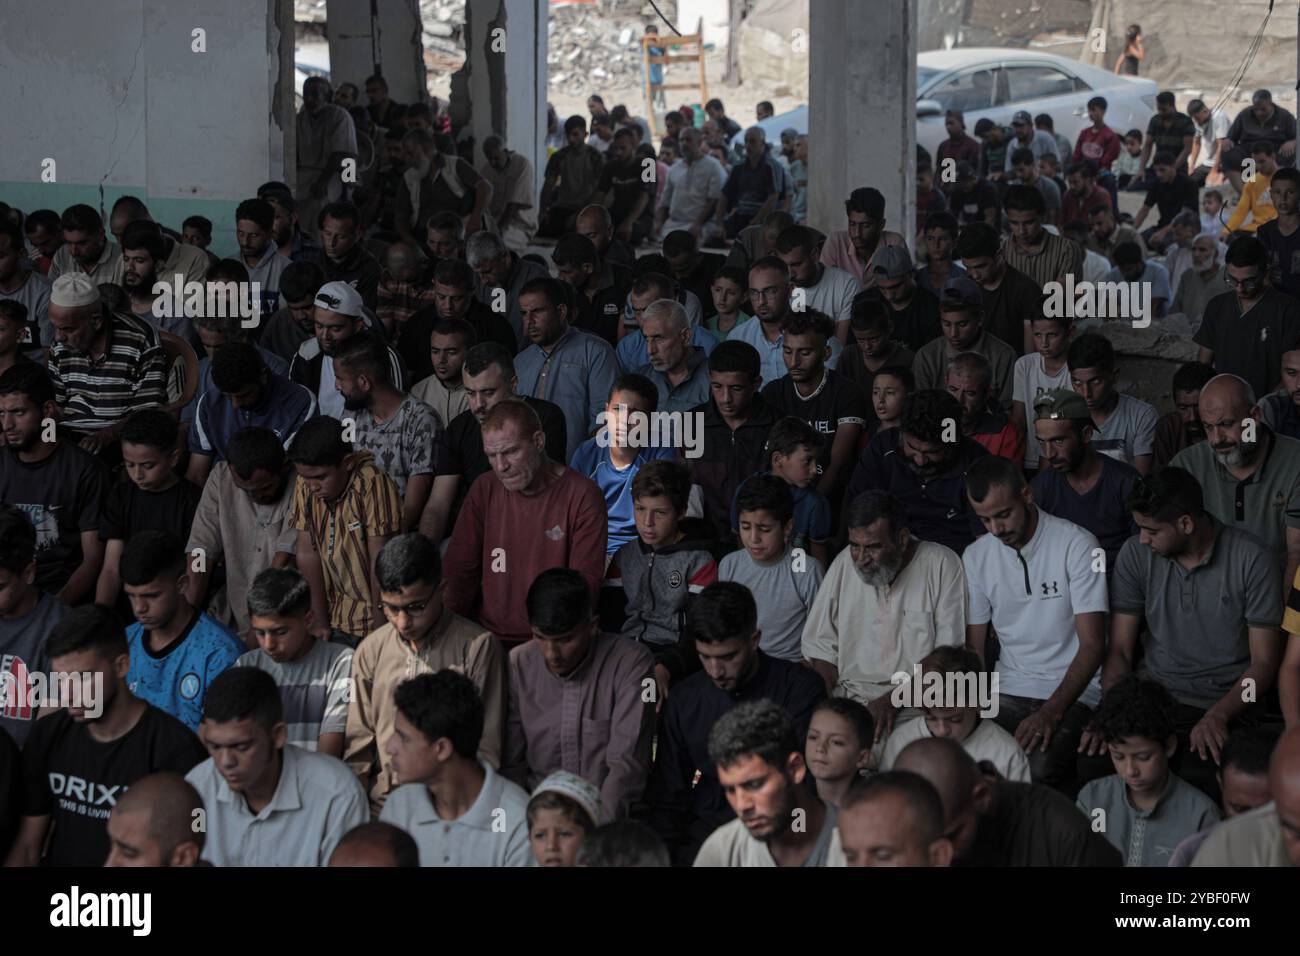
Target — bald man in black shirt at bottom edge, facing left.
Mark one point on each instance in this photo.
(994, 823)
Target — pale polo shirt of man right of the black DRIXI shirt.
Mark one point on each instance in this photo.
(317, 802)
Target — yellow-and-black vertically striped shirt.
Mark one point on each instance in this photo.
(369, 508)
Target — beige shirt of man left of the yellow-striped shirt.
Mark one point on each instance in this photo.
(249, 535)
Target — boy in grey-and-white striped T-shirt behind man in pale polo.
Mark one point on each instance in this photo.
(314, 677)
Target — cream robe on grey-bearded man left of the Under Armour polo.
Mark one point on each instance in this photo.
(872, 634)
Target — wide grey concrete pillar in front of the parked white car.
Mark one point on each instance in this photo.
(863, 109)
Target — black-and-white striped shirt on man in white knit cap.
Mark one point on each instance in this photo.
(94, 393)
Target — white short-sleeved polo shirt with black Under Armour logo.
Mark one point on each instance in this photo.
(1032, 598)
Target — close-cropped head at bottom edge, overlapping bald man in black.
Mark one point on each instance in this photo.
(895, 819)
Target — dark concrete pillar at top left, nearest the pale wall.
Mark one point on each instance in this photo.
(366, 32)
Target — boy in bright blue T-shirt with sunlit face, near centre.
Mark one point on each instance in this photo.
(614, 457)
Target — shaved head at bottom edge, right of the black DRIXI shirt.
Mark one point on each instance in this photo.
(158, 823)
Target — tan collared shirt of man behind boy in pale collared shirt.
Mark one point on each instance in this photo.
(383, 661)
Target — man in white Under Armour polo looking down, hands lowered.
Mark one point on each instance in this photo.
(1035, 579)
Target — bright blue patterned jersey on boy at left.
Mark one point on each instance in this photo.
(177, 680)
